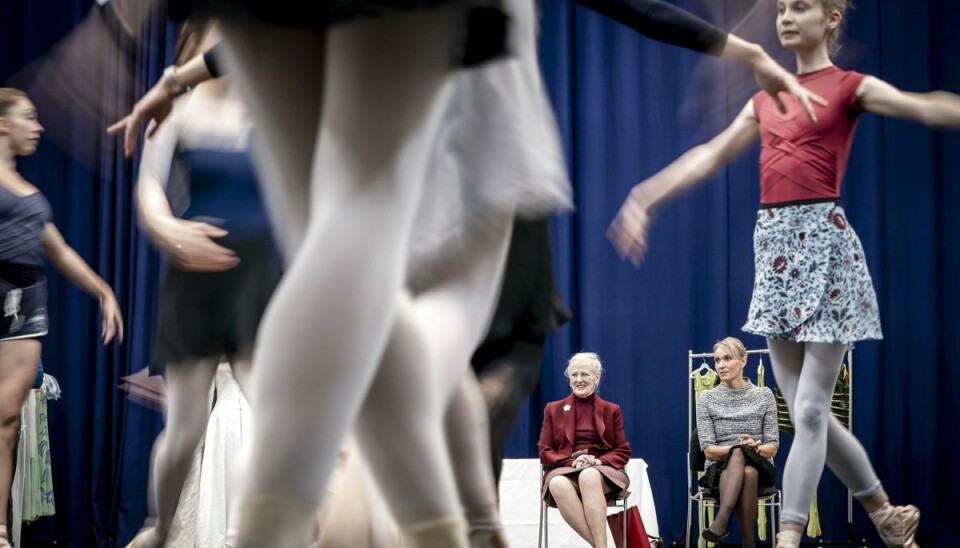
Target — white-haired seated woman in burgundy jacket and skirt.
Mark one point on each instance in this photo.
(583, 450)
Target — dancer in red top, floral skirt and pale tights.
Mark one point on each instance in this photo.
(813, 295)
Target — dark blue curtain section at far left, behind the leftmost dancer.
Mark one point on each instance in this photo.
(82, 70)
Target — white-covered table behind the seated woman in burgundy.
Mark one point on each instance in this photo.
(520, 505)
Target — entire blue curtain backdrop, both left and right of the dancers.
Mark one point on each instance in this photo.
(627, 107)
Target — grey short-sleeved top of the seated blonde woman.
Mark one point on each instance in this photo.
(723, 414)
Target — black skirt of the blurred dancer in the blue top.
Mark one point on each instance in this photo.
(215, 314)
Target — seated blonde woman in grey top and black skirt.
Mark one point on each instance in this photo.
(737, 425)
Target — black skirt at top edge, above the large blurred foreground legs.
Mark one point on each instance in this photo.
(484, 23)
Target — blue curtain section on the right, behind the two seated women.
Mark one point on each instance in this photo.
(628, 106)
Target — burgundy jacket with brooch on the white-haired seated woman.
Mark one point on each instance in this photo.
(556, 435)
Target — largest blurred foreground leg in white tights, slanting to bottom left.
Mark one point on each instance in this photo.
(382, 103)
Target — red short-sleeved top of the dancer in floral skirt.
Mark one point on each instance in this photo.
(801, 160)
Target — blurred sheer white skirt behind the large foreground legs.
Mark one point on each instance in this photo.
(498, 155)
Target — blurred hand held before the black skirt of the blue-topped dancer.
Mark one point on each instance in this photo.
(189, 245)
